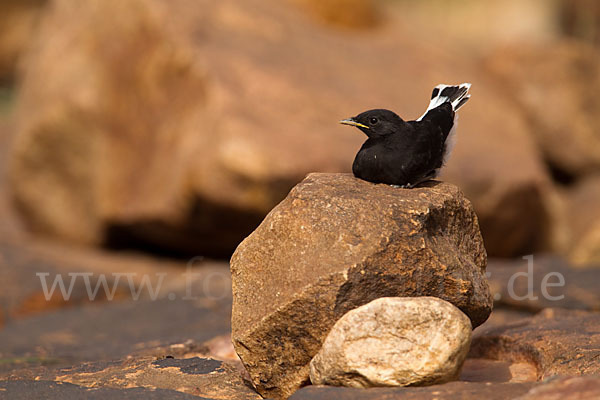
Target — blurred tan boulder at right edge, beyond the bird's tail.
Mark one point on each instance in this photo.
(560, 103)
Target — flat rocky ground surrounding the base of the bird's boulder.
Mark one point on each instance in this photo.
(181, 348)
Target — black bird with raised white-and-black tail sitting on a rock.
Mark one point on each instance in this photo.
(407, 153)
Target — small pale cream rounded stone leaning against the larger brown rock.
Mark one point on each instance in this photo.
(394, 341)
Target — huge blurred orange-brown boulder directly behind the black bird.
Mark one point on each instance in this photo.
(180, 124)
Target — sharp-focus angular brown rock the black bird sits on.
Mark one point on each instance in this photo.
(336, 243)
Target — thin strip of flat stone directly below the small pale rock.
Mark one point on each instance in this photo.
(448, 391)
